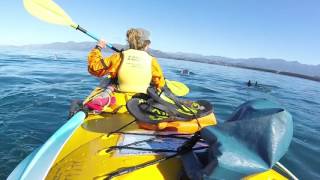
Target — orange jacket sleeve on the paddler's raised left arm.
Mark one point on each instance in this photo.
(99, 66)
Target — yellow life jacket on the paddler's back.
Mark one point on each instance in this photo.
(135, 71)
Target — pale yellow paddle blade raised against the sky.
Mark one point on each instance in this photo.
(48, 11)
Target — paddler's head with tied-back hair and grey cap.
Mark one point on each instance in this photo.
(138, 39)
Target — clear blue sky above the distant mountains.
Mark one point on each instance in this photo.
(288, 29)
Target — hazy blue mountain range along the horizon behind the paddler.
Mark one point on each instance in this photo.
(280, 66)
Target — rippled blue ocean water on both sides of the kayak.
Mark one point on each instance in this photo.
(37, 86)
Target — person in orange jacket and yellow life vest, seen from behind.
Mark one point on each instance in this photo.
(134, 68)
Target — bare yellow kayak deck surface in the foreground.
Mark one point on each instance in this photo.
(85, 157)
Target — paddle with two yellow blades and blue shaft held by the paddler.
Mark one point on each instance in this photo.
(50, 12)
